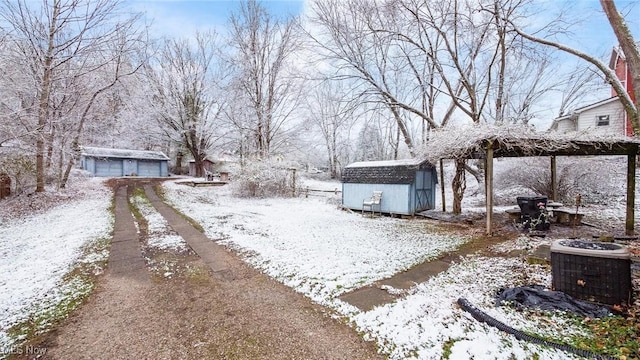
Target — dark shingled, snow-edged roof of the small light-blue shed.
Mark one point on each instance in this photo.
(384, 172)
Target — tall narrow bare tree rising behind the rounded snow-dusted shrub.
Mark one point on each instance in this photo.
(265, 45)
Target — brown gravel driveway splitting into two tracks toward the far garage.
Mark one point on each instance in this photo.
(233, 312)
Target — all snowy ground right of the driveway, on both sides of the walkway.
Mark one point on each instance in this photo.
(321, 251)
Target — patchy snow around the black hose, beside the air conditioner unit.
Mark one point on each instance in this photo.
(423, 322)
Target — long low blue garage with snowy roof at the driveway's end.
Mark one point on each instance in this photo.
(122, 162)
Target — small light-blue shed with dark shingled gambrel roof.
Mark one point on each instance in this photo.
(408, 186)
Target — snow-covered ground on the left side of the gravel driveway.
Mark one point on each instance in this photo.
(37, 251)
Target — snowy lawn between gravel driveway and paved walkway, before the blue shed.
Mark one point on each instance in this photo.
(308, 243)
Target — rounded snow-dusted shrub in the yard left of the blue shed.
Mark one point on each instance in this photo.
(264, 180)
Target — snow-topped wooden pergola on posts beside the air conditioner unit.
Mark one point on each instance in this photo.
(488, 143)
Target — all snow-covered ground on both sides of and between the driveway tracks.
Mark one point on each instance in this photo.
(308, 244)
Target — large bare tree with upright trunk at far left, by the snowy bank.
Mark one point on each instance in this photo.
(58, 40)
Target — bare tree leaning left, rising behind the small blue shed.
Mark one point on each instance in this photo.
(356, 40)
